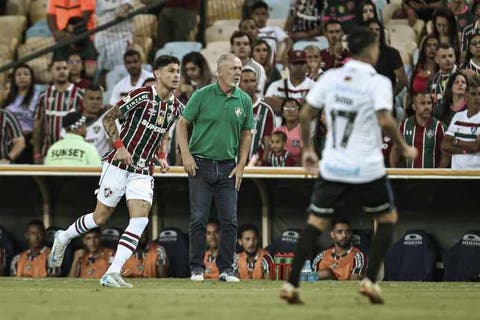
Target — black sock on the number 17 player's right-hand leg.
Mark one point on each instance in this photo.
(381, 241)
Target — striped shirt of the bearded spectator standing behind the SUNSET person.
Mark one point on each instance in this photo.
(52, 106)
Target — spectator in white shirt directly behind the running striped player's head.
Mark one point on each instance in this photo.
(134, 80)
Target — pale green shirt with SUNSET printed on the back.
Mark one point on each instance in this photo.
(72, 150)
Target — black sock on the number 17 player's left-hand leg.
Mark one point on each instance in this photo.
(306, 244)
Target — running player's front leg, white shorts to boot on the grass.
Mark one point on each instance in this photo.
(139, 194)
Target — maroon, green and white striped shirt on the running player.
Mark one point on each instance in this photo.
(146, 118)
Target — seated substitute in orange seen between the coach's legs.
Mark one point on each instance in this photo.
(212, 238)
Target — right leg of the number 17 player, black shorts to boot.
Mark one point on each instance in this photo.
(378, 199)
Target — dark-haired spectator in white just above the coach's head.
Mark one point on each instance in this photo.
(242, 48)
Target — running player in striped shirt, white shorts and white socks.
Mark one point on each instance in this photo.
(148, 113)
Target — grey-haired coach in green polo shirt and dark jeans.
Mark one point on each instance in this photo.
(222, 118)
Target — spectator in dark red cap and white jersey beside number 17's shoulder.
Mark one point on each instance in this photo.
(296, 86)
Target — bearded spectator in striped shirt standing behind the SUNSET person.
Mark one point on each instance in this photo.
(54, 103)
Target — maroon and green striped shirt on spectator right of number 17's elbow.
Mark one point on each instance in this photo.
(426, 139)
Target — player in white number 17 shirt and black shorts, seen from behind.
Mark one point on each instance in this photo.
(357, 103)
